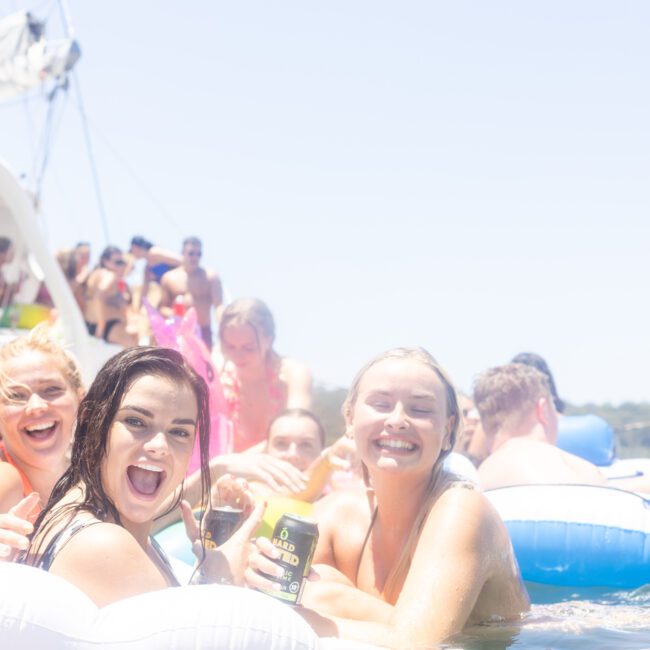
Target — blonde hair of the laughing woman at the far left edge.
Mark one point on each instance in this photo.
(39, 339)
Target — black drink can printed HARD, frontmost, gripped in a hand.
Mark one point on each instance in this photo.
(295, 538)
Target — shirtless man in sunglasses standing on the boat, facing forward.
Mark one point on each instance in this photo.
(199, 288)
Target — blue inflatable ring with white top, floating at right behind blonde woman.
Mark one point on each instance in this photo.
(577, 535)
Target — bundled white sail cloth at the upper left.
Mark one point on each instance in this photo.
(27, 58)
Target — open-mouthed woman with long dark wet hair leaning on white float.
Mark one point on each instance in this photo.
(135, 432)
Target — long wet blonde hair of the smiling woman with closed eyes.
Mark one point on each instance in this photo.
(398, 573)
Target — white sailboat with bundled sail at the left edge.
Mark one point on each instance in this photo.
(27, 61)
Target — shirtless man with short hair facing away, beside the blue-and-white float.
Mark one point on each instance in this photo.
(520, 422)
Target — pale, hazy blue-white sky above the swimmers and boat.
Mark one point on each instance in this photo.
(471, 177)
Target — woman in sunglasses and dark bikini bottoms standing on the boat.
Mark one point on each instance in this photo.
(108, 299)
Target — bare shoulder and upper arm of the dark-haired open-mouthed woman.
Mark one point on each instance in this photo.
(107, 564)
